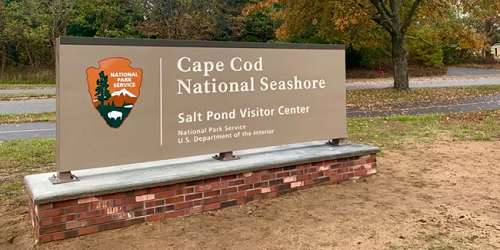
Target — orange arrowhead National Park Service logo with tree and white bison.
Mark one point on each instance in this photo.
(114, 88)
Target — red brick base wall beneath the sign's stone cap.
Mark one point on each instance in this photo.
(72, 218)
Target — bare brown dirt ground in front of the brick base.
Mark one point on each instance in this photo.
(426, 196)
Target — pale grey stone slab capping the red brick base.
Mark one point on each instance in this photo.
(99, 181)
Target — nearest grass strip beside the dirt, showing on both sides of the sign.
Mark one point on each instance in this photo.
(22, 157)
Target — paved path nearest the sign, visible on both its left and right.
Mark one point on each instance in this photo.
(47, 130)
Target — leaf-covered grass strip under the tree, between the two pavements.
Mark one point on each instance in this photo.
(372, 99)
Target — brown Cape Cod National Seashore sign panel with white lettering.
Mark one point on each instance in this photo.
(182, 98)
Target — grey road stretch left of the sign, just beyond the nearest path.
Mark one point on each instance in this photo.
(28, 106)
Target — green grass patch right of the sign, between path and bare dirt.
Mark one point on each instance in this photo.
(395, 131)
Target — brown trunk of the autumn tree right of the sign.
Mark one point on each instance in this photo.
(400, 62)
